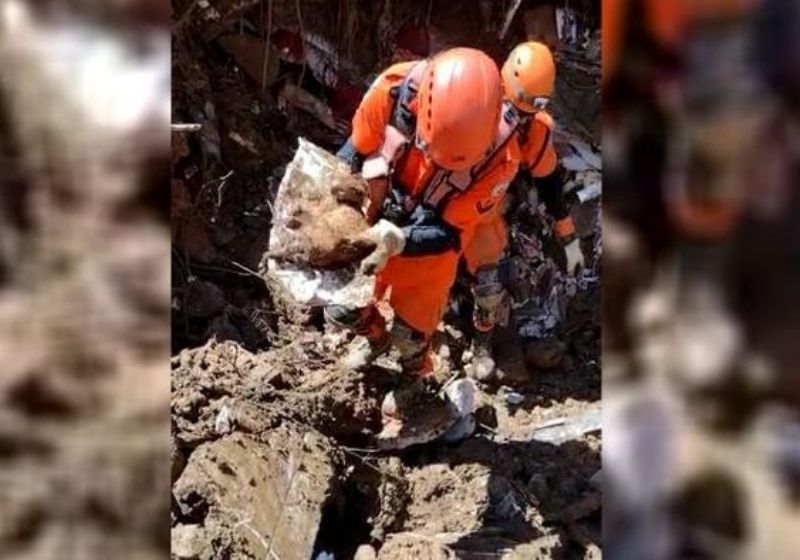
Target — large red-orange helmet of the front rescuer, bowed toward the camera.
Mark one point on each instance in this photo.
(459, 107)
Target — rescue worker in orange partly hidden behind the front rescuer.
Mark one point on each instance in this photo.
(528, 81)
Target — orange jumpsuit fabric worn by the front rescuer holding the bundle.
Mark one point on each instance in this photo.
(419, 287)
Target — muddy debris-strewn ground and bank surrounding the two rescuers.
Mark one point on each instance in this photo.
(272, 443)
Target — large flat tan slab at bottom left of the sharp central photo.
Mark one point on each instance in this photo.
(253, 497)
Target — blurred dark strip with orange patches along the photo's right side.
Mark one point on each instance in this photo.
(701, 278)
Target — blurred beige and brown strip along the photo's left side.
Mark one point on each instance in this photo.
(84, 279)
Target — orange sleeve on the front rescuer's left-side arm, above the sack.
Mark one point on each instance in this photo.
(373, 113)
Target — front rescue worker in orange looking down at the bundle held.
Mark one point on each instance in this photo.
(429, 139)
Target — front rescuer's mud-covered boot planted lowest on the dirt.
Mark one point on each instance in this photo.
(415, 413)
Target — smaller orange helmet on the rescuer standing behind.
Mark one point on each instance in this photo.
(529, 76)
